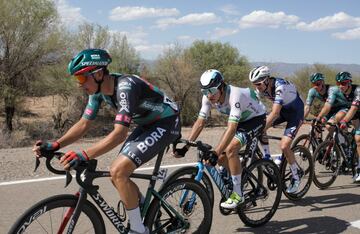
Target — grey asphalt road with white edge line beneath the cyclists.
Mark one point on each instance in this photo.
(334, 210)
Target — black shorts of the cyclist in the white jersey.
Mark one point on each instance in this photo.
(250, 128)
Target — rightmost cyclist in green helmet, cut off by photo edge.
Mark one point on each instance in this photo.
(349, 95)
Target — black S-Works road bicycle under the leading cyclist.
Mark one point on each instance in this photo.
(163, 212)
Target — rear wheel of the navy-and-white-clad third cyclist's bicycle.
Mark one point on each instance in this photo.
(302, 155)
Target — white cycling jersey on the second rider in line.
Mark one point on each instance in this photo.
(240, 104)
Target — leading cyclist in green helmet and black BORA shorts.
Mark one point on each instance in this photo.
(136, 100)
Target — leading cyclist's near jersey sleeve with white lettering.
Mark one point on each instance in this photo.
(127, 99)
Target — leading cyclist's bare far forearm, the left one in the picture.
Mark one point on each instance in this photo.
(75, 132)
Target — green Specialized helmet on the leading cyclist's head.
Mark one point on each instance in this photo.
(88, 60)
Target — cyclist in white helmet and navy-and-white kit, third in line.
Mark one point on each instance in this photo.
(287, 107)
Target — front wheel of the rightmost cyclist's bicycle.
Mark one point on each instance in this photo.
(320, 168)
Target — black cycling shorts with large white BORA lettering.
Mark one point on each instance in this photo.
(145, 142)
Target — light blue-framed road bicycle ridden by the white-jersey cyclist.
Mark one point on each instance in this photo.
(261, 185)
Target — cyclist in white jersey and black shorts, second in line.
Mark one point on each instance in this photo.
(246, 120)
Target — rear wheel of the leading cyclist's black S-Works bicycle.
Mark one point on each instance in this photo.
(156, 212)
